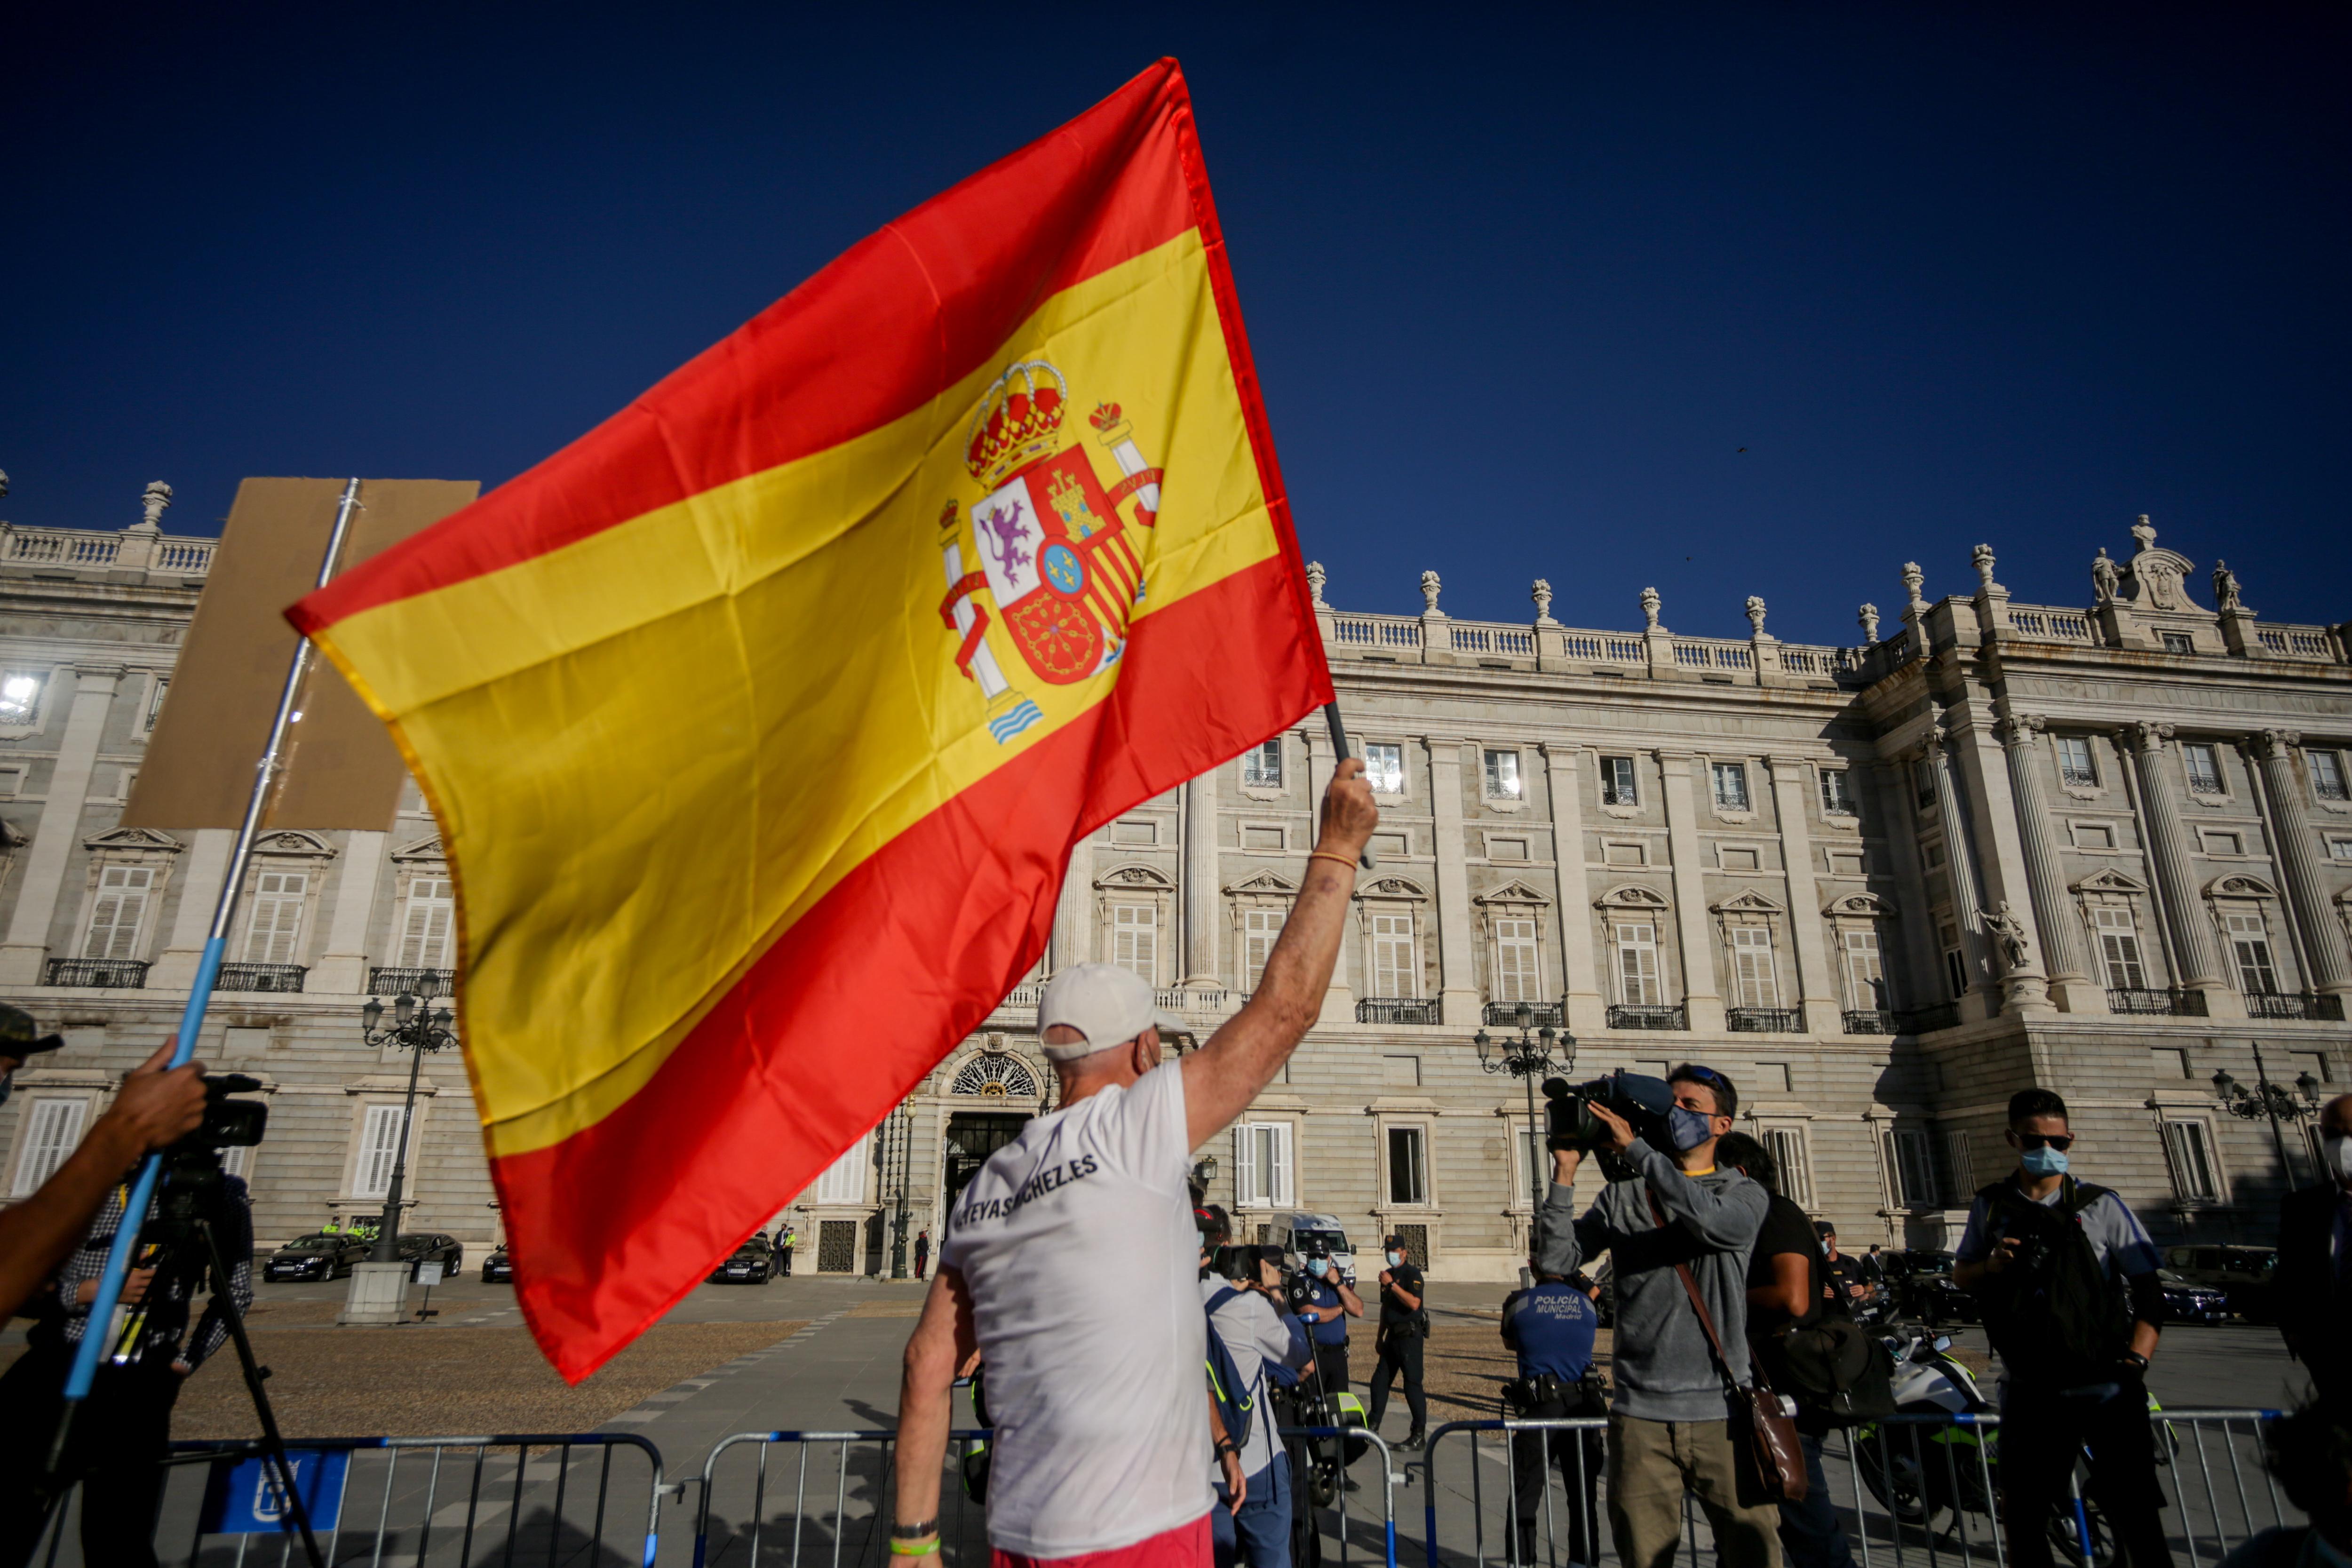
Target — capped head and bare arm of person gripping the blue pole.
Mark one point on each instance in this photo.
(154, 1108)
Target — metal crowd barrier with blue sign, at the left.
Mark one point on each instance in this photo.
(521, 1501)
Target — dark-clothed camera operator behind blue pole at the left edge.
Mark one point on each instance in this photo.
(123, 1430)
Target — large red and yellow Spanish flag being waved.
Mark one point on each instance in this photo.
(761, 721)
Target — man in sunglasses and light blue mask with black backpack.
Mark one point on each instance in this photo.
(2073, 1306)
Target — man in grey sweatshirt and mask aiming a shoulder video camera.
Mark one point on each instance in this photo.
(1671, 1423)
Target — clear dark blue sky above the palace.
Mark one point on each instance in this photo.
(1523, 286)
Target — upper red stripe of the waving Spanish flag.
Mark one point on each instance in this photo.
(886, 328)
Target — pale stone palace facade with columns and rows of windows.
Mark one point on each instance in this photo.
(2106, 850)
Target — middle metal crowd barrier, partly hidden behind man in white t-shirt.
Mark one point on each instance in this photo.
(775, 1510)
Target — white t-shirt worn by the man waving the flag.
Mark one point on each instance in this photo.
(1078, 1247)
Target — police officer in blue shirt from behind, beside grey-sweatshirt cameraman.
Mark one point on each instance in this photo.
(1551, 1329)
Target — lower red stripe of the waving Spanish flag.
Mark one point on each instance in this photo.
(827, 1031)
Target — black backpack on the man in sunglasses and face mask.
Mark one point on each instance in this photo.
(2052, 1313)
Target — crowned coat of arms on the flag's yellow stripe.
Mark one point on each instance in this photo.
(1050, 544)
